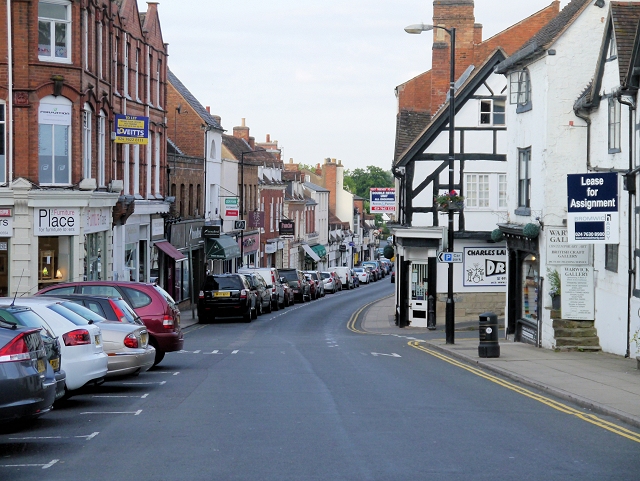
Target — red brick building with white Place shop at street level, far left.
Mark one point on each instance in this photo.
(66, 70)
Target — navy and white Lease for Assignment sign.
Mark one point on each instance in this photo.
(592, 210)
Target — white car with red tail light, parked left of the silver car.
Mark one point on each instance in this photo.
(81, 352)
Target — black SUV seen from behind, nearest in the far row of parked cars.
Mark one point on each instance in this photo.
(226, 295)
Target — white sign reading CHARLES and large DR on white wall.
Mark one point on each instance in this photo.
(485, 267)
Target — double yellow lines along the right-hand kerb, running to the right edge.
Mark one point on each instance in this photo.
(590, 418)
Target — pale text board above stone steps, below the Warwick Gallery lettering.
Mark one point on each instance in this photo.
(578, 293)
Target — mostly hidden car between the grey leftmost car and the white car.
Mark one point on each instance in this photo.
(25, 317)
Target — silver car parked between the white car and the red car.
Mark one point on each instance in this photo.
(126, 344)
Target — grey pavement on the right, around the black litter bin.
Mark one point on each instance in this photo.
(604, 383)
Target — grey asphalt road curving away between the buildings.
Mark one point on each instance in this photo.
(296, 395)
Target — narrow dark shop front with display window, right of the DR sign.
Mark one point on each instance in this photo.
(523, 284)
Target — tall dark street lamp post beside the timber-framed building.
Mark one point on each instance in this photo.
(450, 312)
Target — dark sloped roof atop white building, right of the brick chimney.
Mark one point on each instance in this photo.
(546, 36)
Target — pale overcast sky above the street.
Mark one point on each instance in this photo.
(317, 75)
